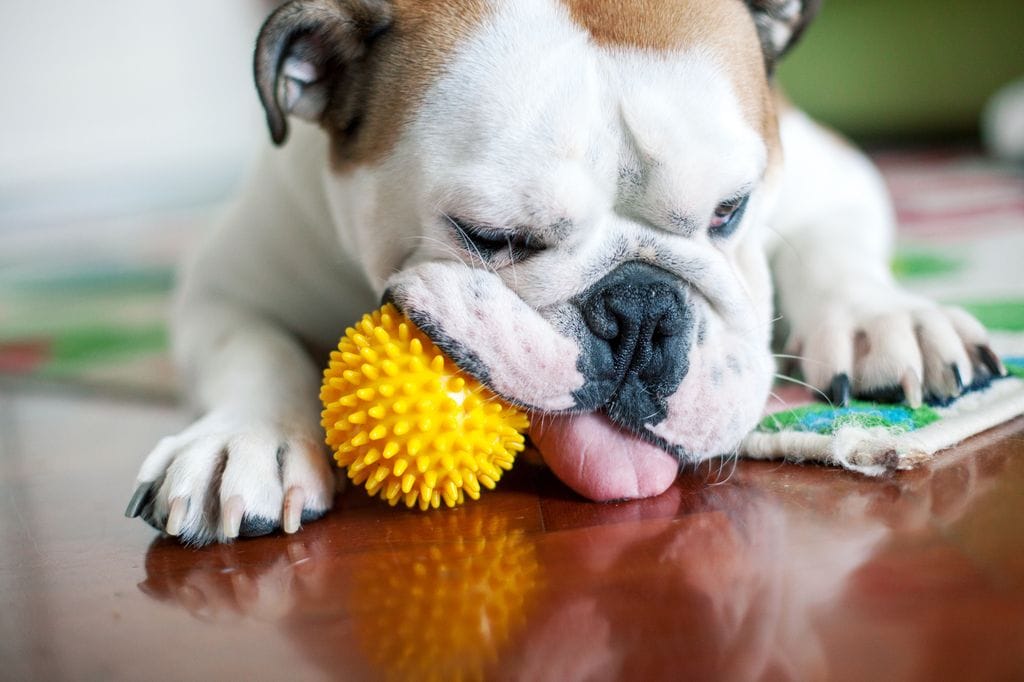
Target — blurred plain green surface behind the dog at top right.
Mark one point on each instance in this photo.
(891, 68)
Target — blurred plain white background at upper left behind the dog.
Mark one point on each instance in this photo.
(123, 106)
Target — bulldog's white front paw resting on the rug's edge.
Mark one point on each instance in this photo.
(892, 347)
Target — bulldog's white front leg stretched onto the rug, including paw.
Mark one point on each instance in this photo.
(855, 329)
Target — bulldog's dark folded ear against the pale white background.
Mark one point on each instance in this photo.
(304, 51)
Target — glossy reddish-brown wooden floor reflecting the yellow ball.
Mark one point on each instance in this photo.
(762, 572)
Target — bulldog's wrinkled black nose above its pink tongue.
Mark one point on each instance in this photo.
(639, 324)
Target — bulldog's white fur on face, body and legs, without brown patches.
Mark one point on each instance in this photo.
(534, 127)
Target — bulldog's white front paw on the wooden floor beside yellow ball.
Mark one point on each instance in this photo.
(226, 477)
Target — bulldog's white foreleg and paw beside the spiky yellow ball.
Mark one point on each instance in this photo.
(254, 461)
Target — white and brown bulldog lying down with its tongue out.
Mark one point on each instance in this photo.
(600, 208)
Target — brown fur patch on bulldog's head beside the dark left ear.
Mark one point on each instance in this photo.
(374, 104)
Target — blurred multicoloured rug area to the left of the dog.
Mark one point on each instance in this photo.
(84, 307)
